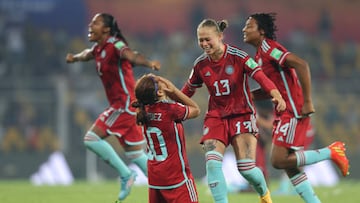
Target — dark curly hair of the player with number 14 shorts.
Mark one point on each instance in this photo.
(266, 22)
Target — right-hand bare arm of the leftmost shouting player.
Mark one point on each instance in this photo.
(138, 59)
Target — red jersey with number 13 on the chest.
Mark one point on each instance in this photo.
(226, 81)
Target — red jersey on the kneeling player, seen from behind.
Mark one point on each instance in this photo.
(168, 165)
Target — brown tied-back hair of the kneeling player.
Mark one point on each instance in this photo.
(146, 94)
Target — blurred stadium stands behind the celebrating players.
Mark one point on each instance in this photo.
(46, 105)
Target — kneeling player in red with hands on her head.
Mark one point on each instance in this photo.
(161, 109)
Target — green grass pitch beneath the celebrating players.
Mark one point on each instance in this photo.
(106, 191)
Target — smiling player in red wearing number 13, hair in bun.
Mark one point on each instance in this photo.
(230, 118)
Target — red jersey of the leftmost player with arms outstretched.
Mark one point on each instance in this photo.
(115, 73)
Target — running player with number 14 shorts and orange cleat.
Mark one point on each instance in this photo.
(291, 75)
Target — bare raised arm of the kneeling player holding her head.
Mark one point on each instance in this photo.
(176, 95)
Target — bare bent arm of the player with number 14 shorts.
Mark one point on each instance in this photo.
(303, 72)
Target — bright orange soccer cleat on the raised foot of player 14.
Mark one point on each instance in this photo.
(338, 156)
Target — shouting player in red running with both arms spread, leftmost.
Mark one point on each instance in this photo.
(114, 61)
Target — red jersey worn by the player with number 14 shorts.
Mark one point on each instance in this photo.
(271, 57)
